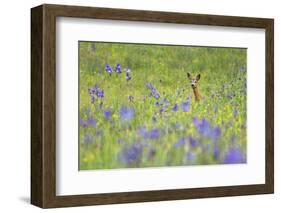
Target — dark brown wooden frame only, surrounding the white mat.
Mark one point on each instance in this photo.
(43, 105)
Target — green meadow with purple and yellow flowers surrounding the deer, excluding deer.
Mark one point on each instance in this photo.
(137, 108)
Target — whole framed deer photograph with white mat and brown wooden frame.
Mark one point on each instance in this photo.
(135, 106)
